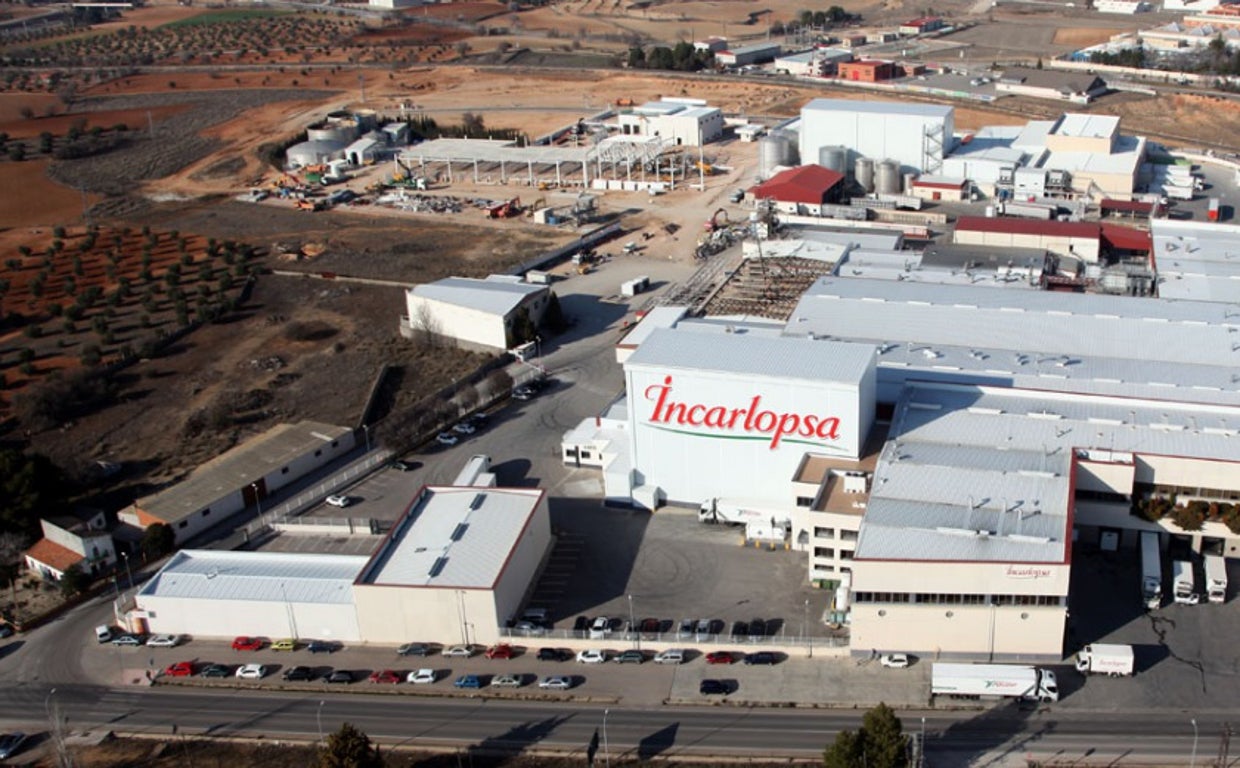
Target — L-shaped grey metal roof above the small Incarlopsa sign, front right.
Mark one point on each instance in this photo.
(983, 473)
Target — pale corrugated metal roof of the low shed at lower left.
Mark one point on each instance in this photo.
(273, 578)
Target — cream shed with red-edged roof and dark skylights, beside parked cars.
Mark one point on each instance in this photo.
(457, 566)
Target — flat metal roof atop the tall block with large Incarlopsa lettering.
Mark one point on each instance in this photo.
(755, 355)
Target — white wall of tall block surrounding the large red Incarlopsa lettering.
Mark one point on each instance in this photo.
(693, 465)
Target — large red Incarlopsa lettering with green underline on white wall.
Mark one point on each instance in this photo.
(751, 419)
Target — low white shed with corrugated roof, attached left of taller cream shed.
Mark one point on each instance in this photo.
(273, 595)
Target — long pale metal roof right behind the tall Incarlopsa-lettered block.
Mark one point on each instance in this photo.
(1073, 343)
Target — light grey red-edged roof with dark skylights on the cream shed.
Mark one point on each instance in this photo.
(454, 538)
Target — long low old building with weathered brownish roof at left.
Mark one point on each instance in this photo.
(241, 477)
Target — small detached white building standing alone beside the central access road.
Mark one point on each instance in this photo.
(476, 313)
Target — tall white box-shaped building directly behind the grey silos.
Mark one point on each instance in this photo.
(916, 136)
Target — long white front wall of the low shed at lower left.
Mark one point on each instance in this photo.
(230, 618)
